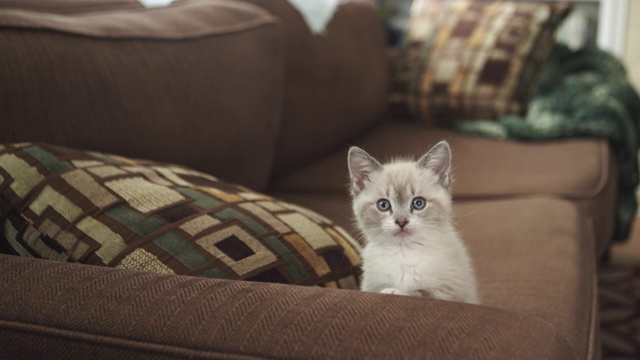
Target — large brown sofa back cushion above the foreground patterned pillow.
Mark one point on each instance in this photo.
(179, 78)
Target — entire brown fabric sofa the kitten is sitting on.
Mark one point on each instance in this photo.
(248, 94)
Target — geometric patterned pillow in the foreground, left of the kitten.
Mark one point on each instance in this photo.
(93, 208)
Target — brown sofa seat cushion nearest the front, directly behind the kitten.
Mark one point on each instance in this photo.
(533, 256)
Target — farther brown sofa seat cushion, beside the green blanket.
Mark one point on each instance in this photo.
(577, 169)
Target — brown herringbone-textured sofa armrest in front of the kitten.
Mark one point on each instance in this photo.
(98, 312)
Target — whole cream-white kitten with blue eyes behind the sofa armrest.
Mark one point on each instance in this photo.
(404, 211)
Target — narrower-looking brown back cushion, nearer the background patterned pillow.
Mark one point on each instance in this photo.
(336, 81)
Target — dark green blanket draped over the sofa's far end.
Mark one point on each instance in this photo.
(584, 93)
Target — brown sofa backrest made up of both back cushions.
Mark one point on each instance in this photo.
(242, 102)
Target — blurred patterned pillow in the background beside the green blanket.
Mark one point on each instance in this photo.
(464, 59)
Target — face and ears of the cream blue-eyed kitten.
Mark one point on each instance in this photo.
(401, 200)
